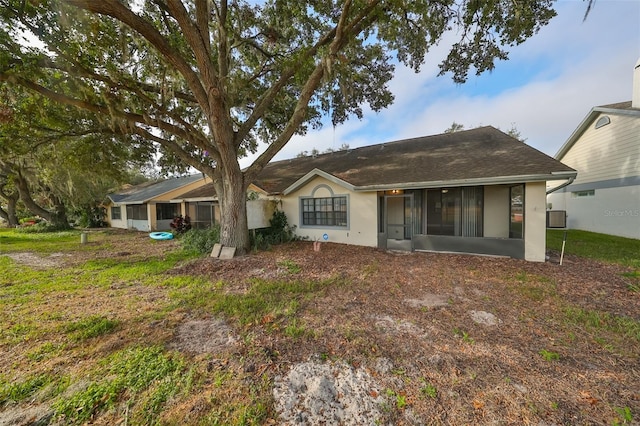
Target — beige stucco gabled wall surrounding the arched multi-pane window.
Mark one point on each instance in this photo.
(362, 214)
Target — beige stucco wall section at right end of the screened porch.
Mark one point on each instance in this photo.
(535, 221)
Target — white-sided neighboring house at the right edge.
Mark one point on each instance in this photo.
(605, 150)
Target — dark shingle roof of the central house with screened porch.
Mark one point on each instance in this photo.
(482, 153)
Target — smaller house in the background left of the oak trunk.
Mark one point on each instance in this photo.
(151, 206)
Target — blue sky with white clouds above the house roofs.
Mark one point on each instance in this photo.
(544, 90)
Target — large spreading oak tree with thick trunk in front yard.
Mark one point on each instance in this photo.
(206, 80)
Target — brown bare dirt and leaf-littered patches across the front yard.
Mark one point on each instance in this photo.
(420, 338)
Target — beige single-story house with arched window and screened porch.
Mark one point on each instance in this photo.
(476, 191)
